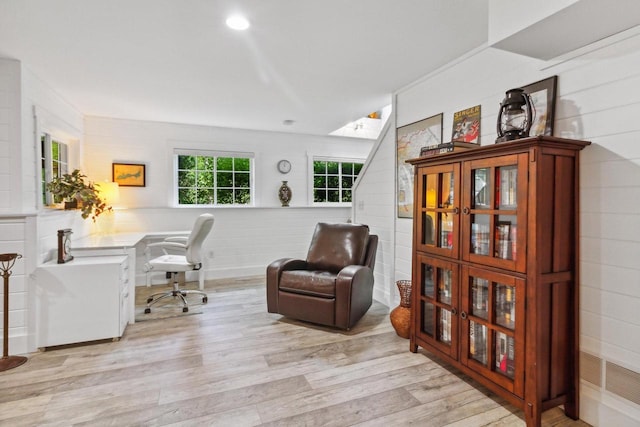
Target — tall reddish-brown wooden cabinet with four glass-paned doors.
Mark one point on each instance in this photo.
(495, 277)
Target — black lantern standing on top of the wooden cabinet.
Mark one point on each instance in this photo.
(515, 116)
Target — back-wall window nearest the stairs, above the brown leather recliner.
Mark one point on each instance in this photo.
(333, 180)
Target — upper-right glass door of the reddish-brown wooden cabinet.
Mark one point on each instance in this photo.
(494, 207)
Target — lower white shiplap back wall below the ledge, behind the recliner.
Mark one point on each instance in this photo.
(243, 241)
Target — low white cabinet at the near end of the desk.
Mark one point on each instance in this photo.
(86, 299)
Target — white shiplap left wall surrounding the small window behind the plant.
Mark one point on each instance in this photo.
(20, 94)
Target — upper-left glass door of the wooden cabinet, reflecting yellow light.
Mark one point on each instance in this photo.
(438, 213)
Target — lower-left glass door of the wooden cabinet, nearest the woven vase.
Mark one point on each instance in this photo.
(437, 321)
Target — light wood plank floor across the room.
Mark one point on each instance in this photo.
(237, 365)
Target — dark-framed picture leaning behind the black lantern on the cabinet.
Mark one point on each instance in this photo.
(543, 98)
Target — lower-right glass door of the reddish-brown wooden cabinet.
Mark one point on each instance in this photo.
(491, 315)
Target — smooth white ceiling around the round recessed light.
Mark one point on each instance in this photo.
(320, 63)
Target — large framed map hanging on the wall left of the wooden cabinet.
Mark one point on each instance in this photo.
(409, 140)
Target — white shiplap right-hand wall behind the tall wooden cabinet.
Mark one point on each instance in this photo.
(597, 100)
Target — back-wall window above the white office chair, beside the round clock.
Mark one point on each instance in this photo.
(213, 178)
